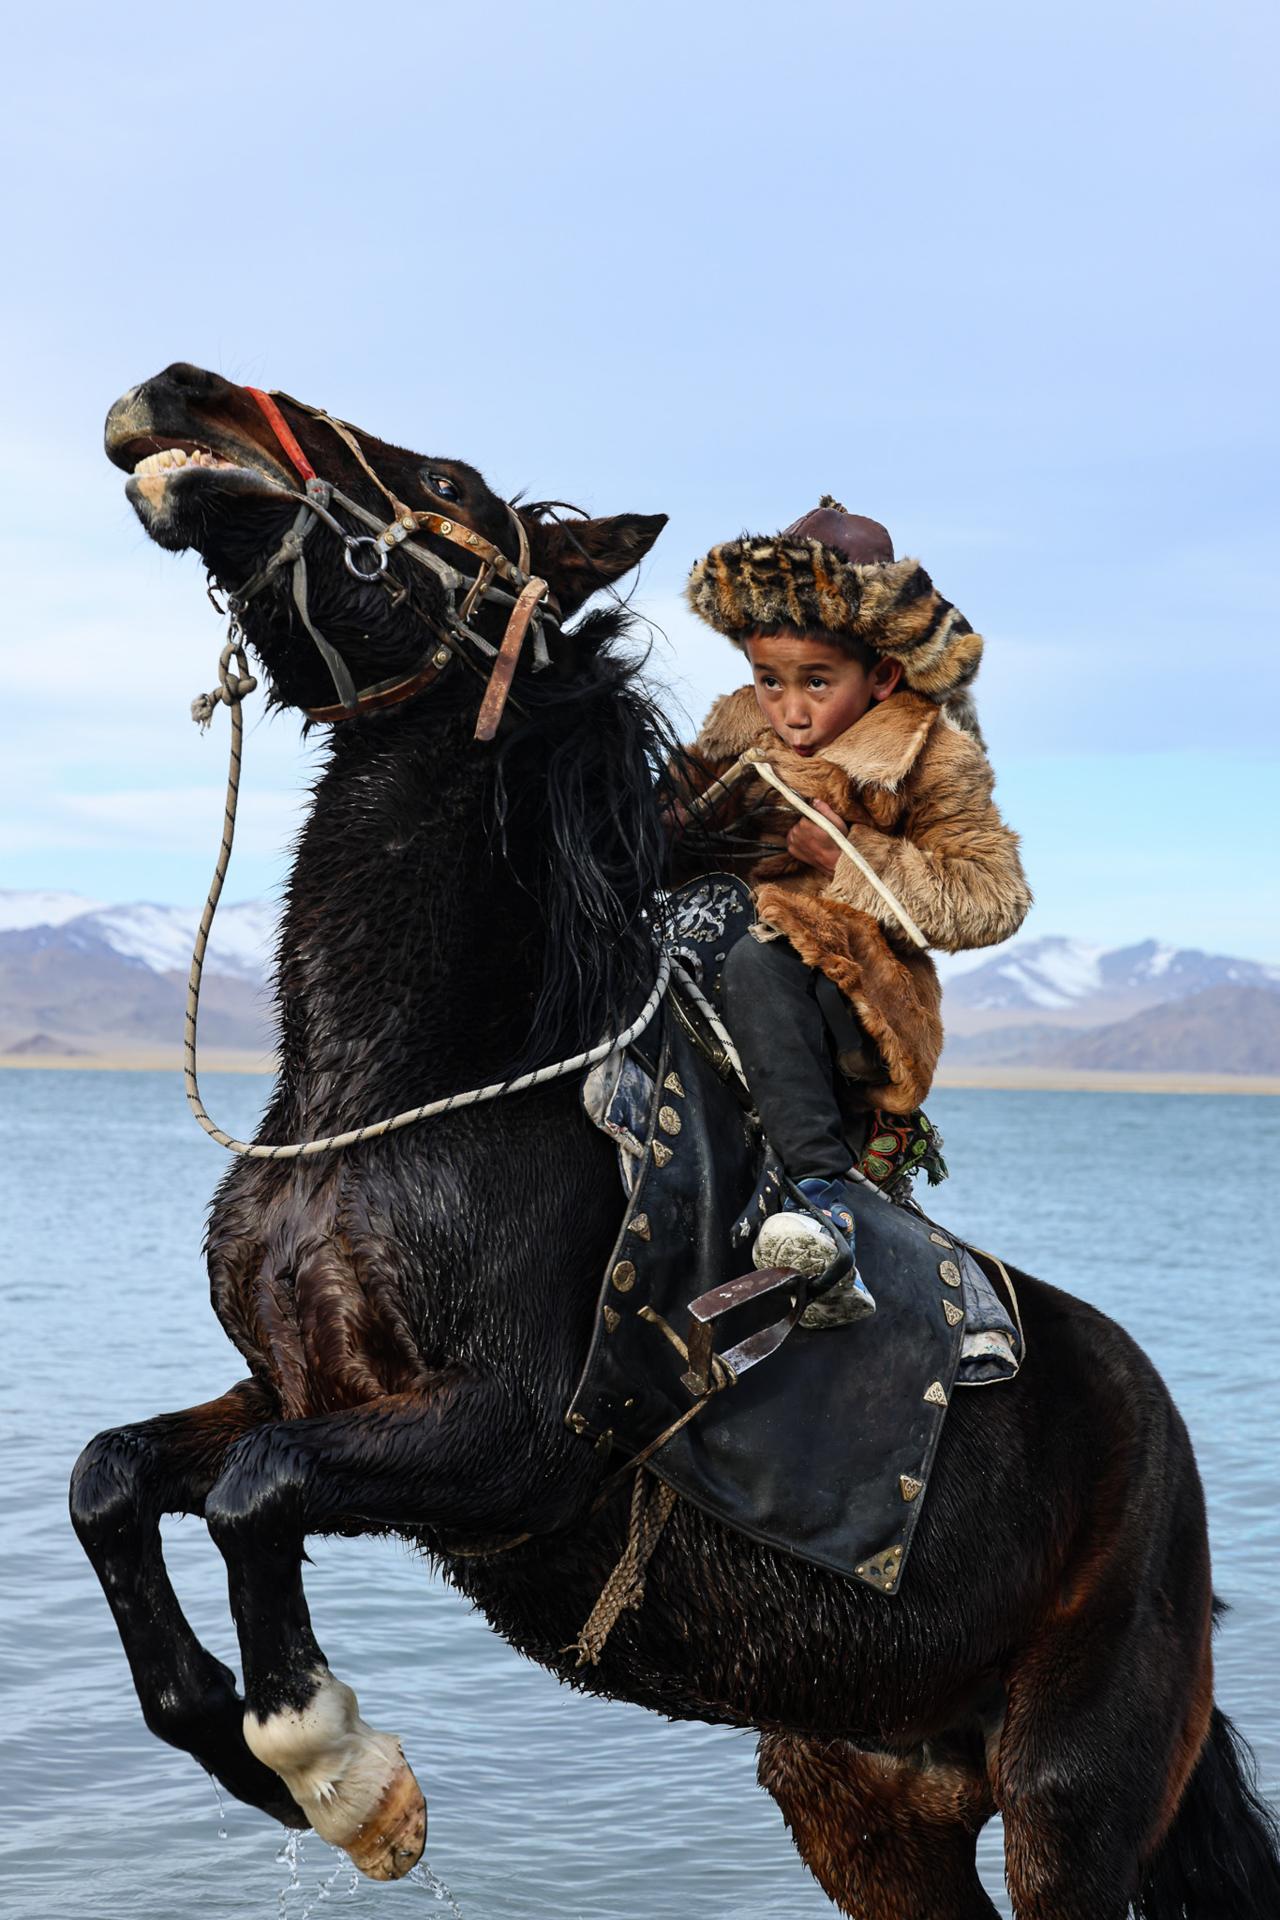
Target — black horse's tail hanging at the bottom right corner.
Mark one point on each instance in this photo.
(1221, 1856)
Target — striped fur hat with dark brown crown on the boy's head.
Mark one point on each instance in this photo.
(834, 571)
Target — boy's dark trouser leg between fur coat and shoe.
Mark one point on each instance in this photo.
(776, 1019)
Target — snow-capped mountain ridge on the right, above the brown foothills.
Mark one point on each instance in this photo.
(1055, 976)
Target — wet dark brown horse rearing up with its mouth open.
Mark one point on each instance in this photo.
(414, 1314)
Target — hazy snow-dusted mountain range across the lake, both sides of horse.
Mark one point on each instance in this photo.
(82, 978)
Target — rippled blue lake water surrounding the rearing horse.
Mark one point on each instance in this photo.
(540, 1802)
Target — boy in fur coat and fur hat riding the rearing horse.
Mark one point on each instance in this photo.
(861, 694)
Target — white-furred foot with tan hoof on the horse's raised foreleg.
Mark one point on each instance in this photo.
(352, 1783)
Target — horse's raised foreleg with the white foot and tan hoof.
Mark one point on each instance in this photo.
(462, 1456)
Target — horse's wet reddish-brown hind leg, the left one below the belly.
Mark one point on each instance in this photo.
(886, 1838)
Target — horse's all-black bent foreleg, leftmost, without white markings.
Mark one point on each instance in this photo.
(122, 1485)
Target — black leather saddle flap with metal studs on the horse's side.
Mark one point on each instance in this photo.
(822, 1451)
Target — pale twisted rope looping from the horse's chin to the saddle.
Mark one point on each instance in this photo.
(231, 692)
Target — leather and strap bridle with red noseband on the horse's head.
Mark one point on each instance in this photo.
(366, 556)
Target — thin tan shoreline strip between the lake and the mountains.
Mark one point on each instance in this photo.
(993, 1080)
